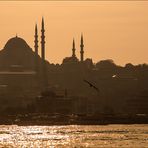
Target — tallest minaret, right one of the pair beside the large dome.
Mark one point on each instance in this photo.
(42, 40)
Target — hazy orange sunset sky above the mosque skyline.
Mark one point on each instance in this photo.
(115, 30)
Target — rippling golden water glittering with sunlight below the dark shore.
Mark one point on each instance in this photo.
(74, 136)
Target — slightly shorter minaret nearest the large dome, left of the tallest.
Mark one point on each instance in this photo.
(36, 48)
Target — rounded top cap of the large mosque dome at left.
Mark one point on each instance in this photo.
(16, 43)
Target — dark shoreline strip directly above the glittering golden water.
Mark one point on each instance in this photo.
(47, 120)
